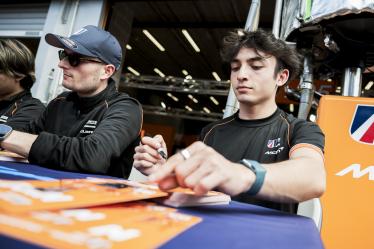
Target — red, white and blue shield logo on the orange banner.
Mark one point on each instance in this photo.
(362, 127)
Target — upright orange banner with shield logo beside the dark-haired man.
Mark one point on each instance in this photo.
(348, 203)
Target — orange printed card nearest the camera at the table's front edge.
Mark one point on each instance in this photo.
(127, 225)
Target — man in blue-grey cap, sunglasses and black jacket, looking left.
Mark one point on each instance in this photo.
(94, 128)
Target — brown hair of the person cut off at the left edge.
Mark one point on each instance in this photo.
(16, 60)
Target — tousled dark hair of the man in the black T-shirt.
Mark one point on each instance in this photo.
(261, 40)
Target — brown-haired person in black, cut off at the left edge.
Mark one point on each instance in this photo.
(17, 107)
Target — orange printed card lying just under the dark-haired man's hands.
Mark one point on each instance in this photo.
(23, 196)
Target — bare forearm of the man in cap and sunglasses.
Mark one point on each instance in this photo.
(19, 142)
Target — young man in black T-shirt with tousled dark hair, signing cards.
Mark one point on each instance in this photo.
(261, 154)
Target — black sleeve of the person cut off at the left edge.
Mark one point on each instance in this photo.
(27, 112)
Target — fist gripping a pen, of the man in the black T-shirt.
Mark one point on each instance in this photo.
(146, 158)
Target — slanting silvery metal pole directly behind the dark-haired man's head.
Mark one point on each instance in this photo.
(251, 24)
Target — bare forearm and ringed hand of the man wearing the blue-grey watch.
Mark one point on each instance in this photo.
(300, 178)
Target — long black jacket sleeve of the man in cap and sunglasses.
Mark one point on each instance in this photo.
(119, 127)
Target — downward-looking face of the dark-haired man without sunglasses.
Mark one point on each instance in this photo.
(253, 78)
